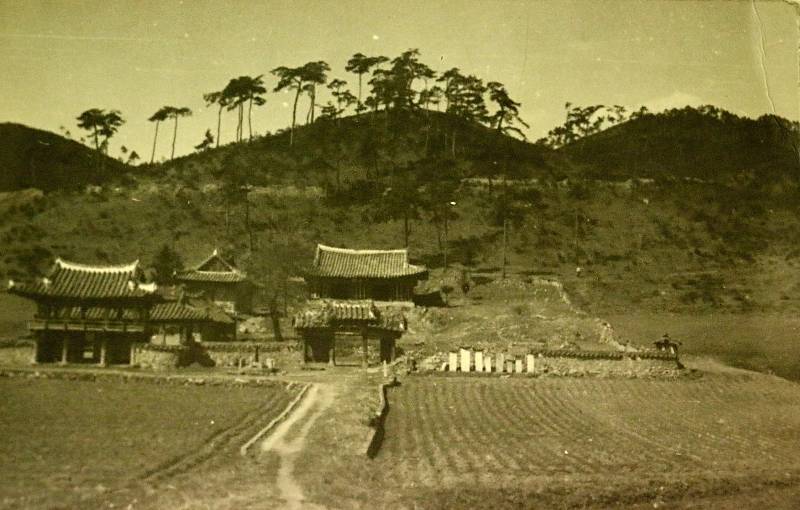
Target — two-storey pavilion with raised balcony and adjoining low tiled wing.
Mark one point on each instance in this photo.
(96, 313)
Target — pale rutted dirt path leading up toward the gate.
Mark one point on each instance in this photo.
(318, 398)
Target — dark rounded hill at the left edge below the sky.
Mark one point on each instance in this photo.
(32, 158)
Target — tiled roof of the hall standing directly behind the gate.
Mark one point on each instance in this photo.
(346, 263)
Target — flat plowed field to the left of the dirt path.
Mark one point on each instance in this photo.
(73, 443)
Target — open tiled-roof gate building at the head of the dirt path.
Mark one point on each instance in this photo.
(324, 322)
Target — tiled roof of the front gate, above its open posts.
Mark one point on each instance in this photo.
(332, 313)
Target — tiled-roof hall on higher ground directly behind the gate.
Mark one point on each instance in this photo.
(378, 275)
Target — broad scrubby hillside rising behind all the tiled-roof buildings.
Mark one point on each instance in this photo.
(664, 244)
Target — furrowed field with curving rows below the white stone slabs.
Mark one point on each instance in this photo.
(590, 441)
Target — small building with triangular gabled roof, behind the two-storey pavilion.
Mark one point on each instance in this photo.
(220, 282)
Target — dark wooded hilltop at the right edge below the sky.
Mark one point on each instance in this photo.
(705, 143)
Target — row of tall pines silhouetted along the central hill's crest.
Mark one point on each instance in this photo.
(391, 85)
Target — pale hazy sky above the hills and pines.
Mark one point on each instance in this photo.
(59, 58)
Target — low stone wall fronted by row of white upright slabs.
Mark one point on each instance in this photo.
(564, 363)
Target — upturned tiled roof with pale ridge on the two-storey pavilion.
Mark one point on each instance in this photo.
(80, 281)
